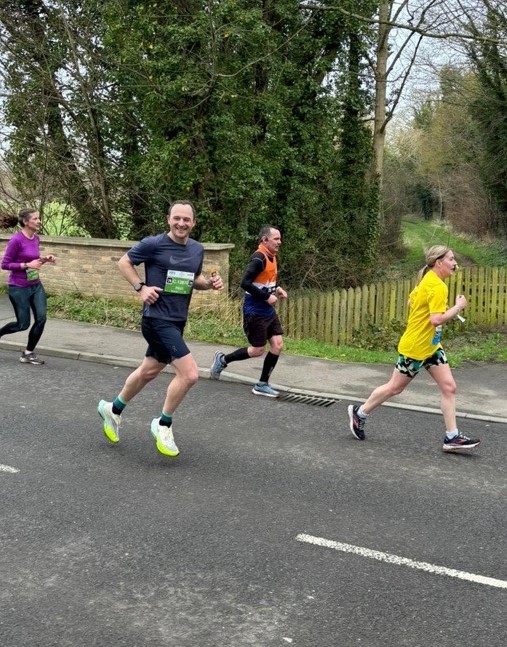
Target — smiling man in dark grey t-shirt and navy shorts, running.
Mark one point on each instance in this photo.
(173, 268)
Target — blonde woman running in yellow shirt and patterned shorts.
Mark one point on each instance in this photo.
(420, 347)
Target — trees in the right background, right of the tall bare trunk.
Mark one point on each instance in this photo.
(456, 165)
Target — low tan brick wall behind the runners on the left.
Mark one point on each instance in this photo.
(88, 266)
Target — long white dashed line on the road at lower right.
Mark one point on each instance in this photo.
(401, 561)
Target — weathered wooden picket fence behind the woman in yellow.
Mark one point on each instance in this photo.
(334, 316)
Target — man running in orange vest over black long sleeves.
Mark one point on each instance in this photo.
(260, 320)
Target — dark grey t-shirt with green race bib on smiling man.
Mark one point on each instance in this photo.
(172, 267)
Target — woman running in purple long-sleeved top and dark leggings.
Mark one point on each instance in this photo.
(22, 258)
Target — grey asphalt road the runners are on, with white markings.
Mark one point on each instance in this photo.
(117, 546)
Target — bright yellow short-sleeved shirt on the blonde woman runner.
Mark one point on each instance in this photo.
(427, 298)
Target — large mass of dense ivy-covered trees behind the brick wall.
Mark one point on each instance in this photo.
(255, 111)
